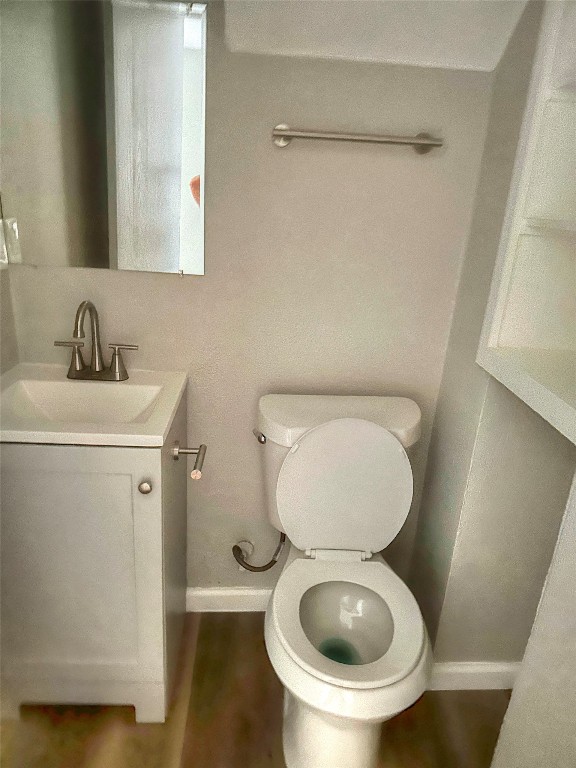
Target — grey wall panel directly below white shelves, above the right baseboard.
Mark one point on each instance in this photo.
(515, 497)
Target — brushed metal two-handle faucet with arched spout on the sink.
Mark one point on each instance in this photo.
(97, 370)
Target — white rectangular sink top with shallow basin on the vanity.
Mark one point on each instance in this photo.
(39, 404)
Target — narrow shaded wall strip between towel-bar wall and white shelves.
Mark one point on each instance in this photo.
(464, 383)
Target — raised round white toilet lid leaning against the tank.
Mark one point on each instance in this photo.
(346, 484)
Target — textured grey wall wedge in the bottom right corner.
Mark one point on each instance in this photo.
(538, 729)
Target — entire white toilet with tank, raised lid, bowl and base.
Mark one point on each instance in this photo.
(344, 634)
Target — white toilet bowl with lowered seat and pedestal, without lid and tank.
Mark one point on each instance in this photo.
(348, 643)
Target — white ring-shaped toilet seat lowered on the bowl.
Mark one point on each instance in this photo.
(409, 635)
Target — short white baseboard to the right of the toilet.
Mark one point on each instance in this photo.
(473, 675)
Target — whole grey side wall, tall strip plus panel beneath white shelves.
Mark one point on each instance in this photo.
(498, 475)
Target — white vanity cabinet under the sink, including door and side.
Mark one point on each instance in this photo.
(93, 572)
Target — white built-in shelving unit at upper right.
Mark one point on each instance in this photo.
(528, 340)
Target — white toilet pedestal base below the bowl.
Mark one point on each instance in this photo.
(314, 738)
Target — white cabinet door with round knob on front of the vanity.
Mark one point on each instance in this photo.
(81, 563)
